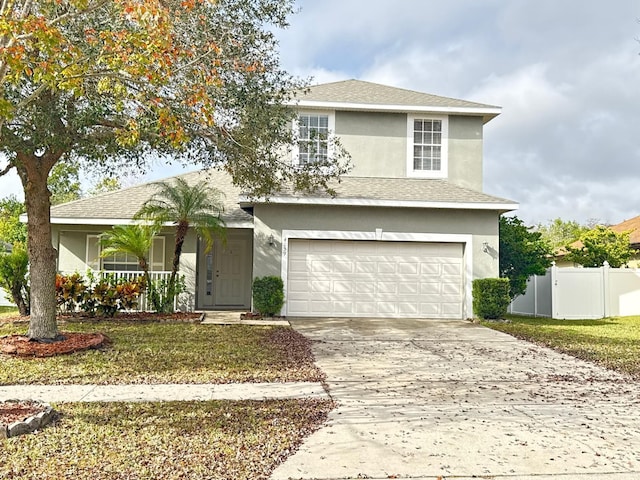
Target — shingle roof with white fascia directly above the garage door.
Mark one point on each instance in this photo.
(394, 192)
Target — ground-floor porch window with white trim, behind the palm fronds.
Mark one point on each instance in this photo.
(123, 262)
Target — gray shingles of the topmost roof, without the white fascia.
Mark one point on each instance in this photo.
(361, 92)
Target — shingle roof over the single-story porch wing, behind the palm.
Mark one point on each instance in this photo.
(120, 206)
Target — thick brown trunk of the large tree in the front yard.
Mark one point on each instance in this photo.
(34, 171)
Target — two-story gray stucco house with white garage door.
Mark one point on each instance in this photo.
(407, 232)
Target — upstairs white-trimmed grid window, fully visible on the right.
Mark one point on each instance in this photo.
(427, 146)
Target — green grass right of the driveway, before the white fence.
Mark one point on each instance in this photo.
(612, 342)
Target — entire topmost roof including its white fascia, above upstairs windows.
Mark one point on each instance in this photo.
(360, 95)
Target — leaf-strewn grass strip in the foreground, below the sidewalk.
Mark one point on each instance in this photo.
(168, 440)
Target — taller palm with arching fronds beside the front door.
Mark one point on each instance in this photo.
(186, 206)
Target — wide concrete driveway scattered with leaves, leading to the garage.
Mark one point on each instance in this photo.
(451, 399)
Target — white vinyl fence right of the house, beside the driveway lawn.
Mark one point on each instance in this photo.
(576, 293)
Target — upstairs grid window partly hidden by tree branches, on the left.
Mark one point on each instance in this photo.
(313, 137)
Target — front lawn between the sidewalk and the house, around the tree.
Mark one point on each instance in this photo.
(147, 352)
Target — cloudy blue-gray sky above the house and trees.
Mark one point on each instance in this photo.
(566, 74)
